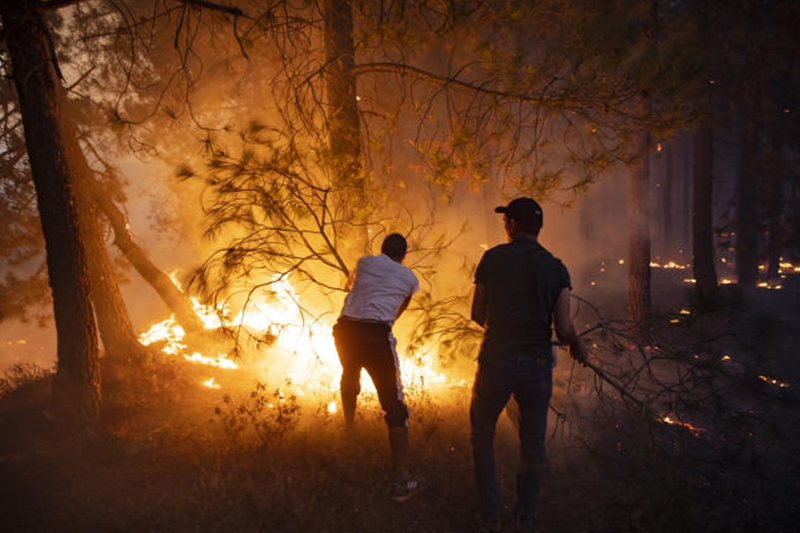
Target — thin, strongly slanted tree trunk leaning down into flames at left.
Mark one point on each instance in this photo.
(163, 285)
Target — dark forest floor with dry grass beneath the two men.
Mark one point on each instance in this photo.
(184, 460)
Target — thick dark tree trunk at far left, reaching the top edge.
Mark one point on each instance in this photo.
(76, 389)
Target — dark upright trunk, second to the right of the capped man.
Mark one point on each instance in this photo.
(704, 268)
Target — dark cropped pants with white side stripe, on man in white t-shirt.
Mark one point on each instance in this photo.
(372, 347)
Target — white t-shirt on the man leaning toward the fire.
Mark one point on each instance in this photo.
(381, 284)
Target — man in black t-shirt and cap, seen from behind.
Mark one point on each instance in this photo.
(520, 291)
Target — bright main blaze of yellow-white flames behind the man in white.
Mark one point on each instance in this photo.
(300, 351)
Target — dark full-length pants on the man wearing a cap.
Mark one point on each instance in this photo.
(530, 380)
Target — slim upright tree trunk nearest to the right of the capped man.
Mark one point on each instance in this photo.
(639, 232)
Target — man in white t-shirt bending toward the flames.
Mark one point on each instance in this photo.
(380, 292)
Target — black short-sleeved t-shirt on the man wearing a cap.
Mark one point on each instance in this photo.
(522, 281)
